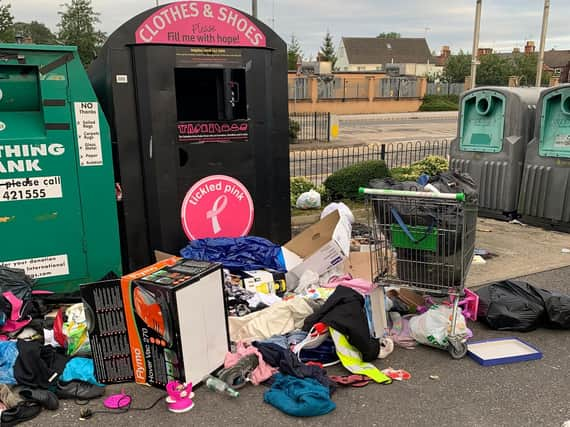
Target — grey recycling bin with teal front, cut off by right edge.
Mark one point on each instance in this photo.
(545, 188)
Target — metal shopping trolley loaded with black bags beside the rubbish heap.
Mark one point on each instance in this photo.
(423, 241)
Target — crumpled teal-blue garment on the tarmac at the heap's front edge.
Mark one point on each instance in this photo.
(299, 397)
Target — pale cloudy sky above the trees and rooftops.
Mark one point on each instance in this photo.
(504, 23)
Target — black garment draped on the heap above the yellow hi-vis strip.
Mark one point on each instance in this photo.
(344, 311)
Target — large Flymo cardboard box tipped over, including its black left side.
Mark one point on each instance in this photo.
(164, 322)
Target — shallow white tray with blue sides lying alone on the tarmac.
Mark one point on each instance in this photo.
(501, 351)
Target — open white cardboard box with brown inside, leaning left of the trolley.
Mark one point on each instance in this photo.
(320, 247)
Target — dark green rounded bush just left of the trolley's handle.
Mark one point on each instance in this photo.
(344, 183)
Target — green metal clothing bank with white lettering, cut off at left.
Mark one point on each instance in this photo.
(58, 212)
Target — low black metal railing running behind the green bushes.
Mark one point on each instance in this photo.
(317, 165)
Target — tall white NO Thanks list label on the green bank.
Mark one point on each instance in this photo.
(88, 133)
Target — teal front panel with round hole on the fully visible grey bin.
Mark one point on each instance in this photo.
(482, 122)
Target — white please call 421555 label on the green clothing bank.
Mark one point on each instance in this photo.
(31, 188)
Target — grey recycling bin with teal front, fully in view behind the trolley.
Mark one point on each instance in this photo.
(494, 127)
